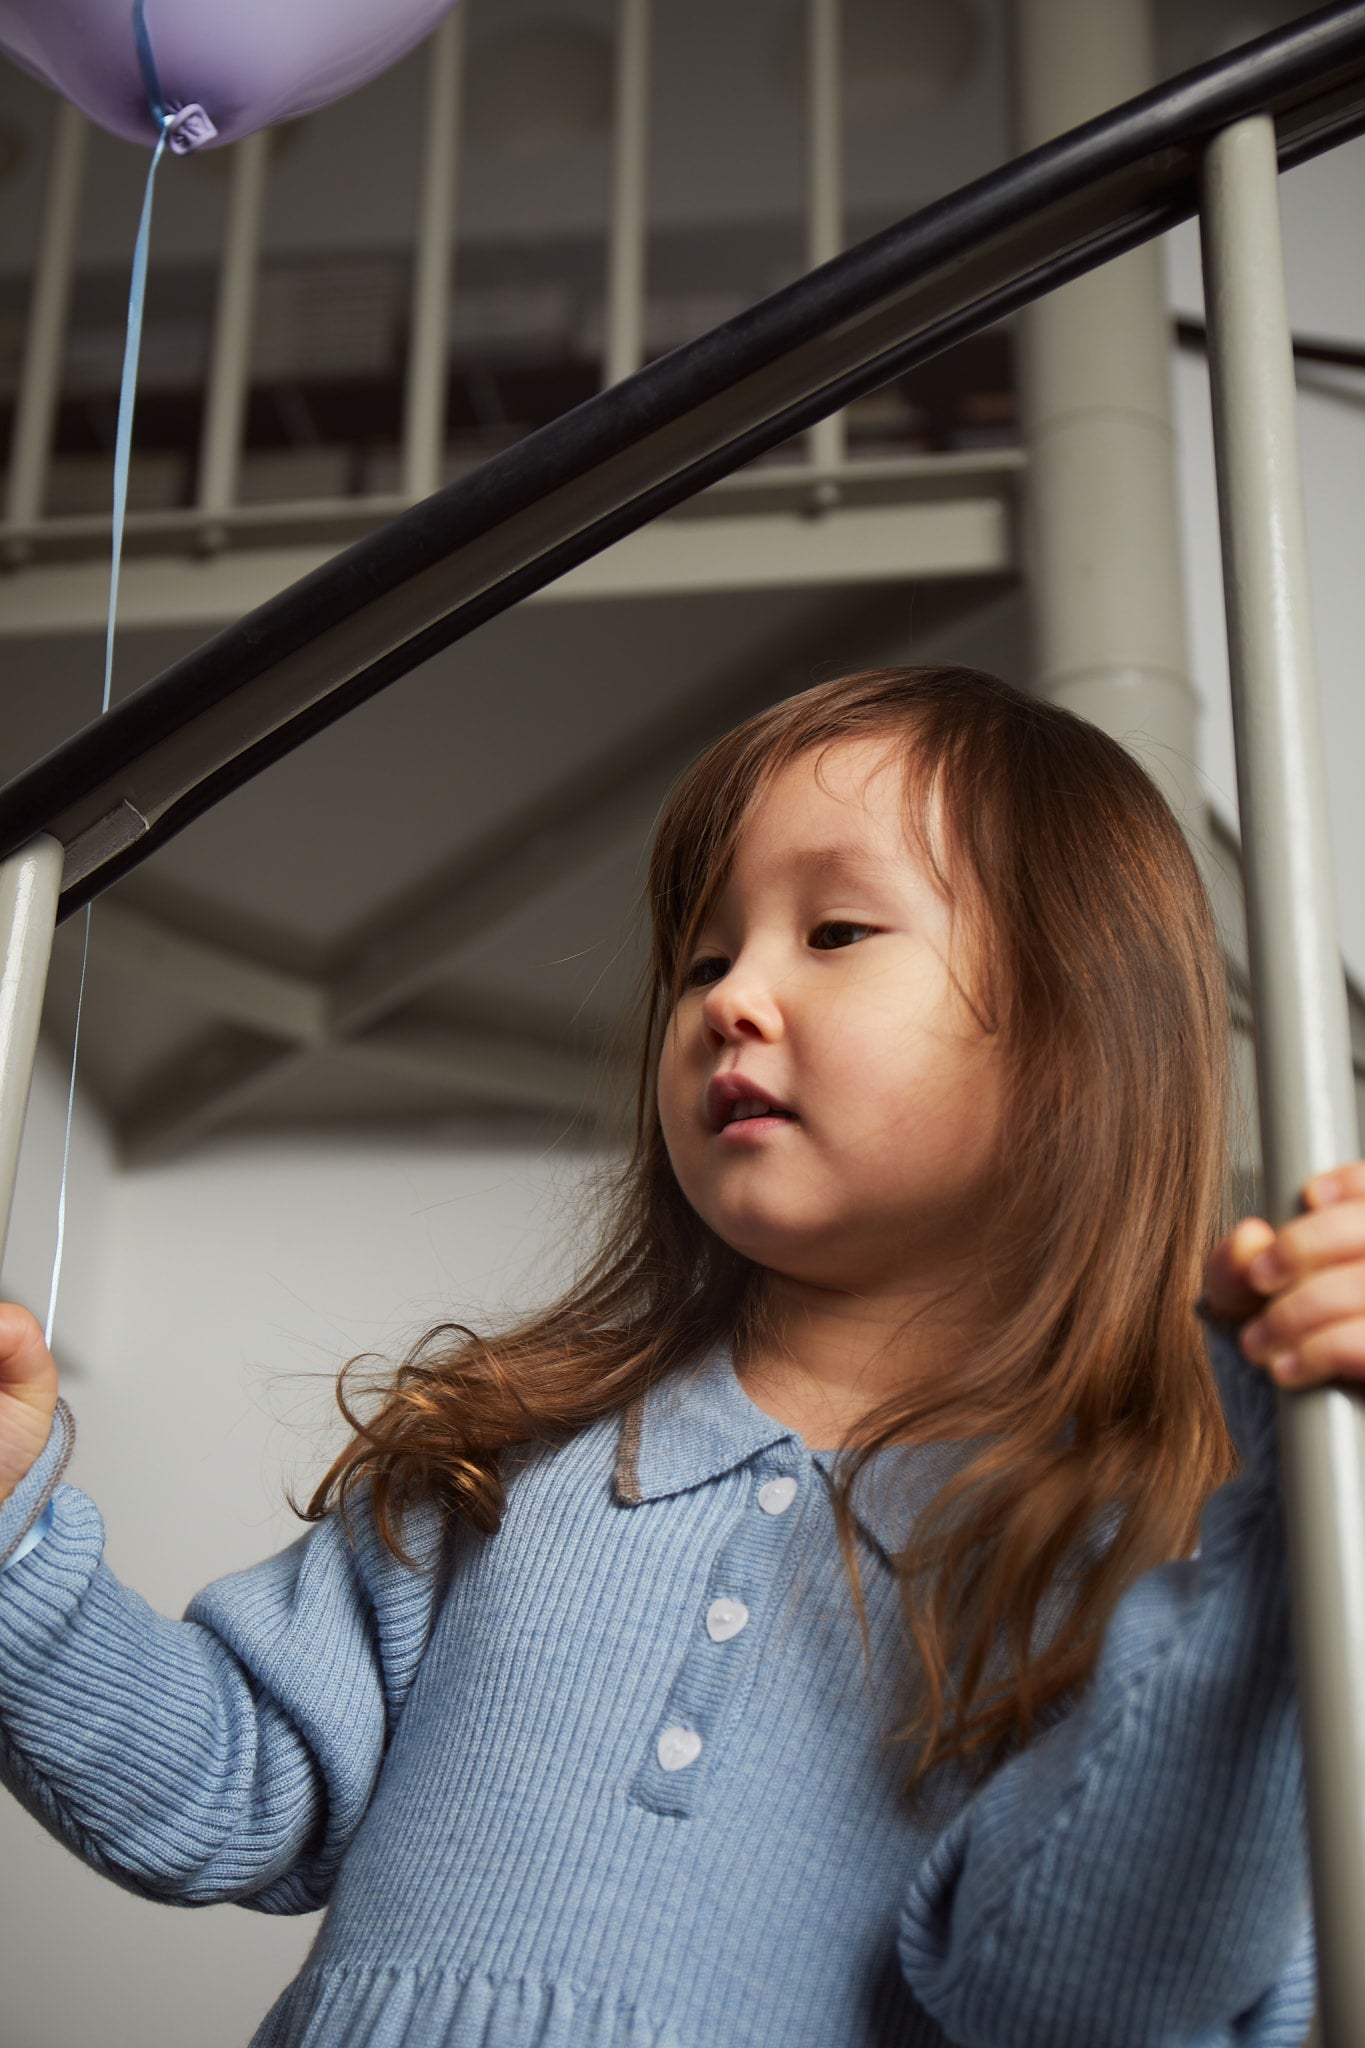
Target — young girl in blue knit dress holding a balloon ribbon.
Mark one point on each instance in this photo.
(844, 1617)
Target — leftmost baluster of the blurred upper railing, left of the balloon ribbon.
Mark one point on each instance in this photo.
(40, 378)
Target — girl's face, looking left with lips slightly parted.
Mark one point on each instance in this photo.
(822, 986)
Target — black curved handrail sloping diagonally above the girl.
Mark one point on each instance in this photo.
(259, 689)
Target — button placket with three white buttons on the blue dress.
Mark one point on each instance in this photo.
(719, 1666)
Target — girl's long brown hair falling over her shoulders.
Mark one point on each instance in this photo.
(1100, 964)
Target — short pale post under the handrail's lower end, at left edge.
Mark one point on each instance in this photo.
(30, 888)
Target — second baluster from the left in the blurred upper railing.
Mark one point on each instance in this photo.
(230, 355)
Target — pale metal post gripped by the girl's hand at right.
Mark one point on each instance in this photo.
(1305, 1080)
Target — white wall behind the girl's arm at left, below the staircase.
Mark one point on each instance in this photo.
(216, 1299)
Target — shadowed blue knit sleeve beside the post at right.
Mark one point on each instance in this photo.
(1139, 1877)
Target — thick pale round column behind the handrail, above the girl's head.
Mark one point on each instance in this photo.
(1102, 523)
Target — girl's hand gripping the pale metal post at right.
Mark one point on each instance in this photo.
(1307, 1281)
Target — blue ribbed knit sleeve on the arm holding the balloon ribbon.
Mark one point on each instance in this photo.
(224, 1756)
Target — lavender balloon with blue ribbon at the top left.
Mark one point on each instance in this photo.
(234, 67)
